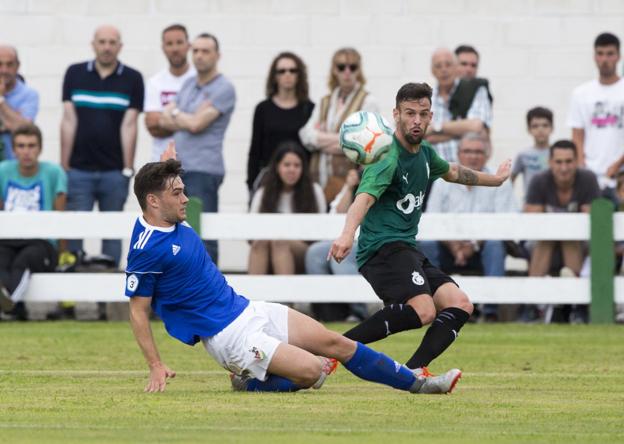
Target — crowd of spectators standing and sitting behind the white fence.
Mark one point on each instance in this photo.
(295, 164)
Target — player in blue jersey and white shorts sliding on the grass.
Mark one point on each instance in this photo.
(267, 346)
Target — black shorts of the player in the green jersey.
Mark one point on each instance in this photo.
(398, 272)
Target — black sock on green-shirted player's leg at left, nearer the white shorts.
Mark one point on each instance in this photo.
(391, 319)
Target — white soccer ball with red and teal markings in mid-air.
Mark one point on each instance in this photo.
(365, 137)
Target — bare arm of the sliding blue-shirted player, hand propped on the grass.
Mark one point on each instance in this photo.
(139, 318)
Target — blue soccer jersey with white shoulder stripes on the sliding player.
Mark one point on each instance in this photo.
(188, 291)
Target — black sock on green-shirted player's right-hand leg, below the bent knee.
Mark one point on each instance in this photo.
(439, 336)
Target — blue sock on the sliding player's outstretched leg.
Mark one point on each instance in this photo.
(373, 366)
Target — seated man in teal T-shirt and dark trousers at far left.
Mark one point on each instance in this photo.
(27, 185)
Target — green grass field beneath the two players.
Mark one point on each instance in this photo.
(83, 382)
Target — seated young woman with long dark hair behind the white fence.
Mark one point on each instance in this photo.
(286, 188)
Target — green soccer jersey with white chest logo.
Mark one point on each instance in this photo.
(398, 182)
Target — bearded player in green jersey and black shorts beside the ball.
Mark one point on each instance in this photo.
(387, 208)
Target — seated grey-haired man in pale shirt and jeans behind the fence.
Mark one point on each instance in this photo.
(483, 256)
